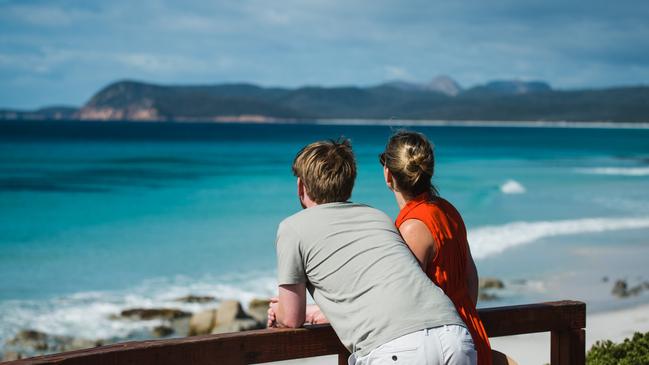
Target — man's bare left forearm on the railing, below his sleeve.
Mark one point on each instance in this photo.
(290, 309)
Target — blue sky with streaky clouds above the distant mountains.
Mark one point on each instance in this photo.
(62, 51)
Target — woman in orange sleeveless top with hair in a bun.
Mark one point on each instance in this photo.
(433, 229)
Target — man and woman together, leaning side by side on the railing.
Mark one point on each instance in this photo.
(403, 293)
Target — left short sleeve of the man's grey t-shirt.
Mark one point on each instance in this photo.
(290, 265)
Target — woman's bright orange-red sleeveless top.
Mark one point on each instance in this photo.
(448, 268)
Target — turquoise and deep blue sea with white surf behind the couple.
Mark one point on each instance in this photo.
(96, 217)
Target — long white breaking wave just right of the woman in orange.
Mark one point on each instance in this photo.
(490, 240)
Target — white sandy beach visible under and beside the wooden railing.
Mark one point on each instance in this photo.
(534, 349)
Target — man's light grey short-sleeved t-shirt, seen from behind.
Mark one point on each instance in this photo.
(361, 274)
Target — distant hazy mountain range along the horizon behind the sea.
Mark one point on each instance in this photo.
(440, 99)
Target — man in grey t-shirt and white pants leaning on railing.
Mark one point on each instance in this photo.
(359, 271)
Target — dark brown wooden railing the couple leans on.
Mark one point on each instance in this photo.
(565, 320)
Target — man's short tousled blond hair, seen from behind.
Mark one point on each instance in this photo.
(327, 170)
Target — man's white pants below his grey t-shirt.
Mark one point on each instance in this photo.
(444, 345)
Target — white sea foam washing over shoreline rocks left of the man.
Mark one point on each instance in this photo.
(88, 314)
